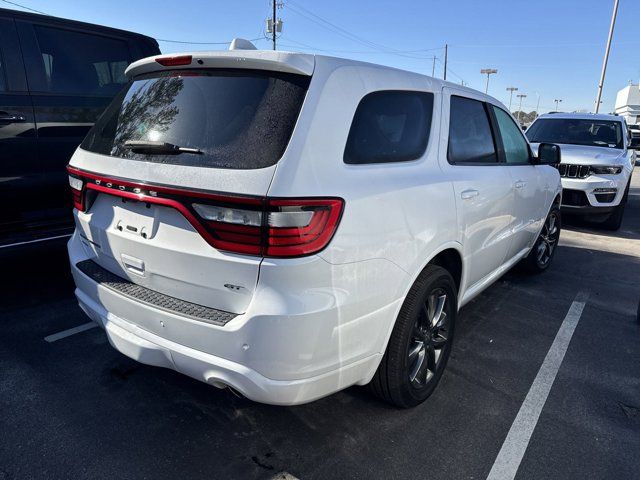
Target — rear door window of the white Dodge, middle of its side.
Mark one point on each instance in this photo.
(470, 137)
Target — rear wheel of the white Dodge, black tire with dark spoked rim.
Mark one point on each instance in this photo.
(421, 341)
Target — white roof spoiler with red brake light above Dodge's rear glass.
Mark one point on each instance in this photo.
(287, 62)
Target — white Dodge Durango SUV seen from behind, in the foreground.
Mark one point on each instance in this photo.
(288, 225)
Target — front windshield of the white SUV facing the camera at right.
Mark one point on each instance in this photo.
(599, 133)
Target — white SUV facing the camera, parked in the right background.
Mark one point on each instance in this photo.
(597, 163)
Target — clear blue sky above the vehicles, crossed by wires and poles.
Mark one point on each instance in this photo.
(546, 48)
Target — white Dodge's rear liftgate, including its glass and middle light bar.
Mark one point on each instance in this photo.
(170, 184)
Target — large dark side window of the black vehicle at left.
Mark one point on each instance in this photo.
(80, 63)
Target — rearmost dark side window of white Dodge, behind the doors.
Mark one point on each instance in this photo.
(390, 126)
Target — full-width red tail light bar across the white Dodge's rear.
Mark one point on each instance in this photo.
(262, 226)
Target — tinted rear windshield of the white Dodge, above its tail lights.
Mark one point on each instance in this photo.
(237, 119)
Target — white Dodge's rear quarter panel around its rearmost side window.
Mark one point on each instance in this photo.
(404, 212)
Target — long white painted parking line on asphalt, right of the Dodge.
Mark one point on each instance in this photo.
(506, 464)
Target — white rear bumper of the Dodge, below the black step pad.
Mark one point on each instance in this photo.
(307, 333)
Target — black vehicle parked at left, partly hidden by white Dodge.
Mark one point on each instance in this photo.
(56, 77)
